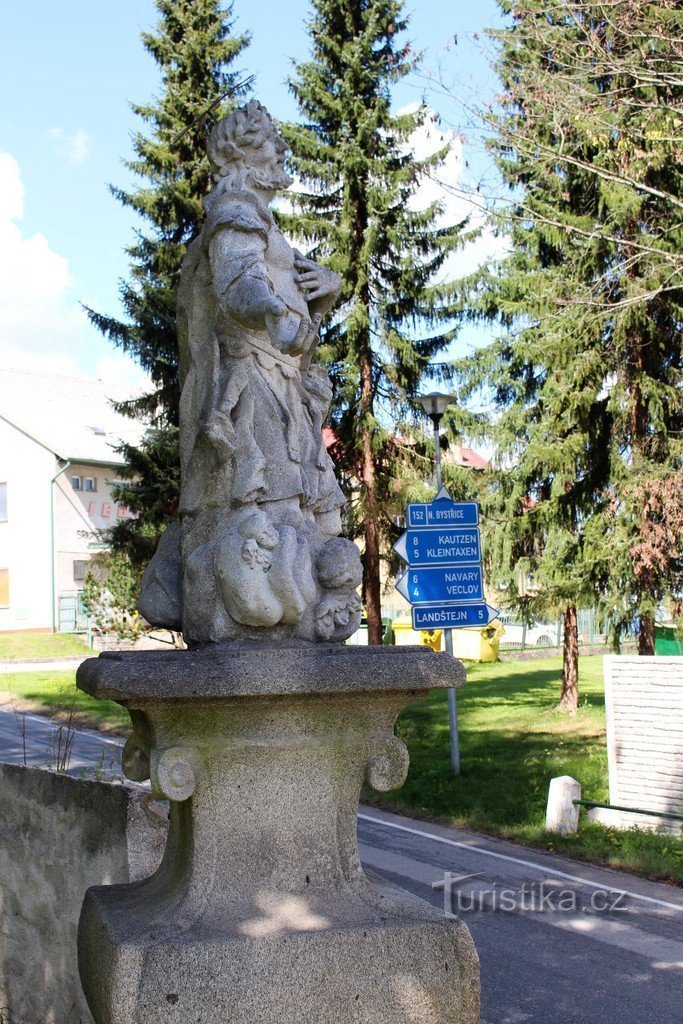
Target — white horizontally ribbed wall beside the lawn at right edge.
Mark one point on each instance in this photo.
(645, 705)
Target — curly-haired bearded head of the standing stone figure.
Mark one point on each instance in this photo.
(246, 149)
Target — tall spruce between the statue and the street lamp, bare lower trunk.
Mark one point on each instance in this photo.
(358, 178)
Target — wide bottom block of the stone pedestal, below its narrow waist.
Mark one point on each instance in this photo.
(289, 966)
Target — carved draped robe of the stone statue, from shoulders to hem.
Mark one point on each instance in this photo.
(251, 402)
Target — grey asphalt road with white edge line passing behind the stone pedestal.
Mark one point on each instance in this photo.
(561, 943)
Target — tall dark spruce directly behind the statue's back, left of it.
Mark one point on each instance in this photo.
(196, 52)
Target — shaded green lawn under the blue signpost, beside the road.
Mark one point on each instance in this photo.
(513, 744)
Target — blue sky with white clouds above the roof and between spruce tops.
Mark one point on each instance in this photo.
(70, 71)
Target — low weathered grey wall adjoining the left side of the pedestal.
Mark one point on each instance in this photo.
(59, 837)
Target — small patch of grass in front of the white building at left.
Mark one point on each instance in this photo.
(56, 693)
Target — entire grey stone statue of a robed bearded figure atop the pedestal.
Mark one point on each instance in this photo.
(259, 549)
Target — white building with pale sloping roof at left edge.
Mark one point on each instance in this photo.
(58, 468)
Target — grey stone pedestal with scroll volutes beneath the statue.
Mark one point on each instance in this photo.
(261, 911)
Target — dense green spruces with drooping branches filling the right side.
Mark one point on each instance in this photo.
(587, 374)
